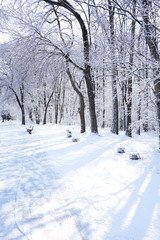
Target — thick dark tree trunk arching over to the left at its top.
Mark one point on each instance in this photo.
(87, 67)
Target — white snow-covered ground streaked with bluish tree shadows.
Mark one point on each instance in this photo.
(54, 189)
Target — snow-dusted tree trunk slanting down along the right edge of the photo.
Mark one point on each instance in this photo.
(151, 40)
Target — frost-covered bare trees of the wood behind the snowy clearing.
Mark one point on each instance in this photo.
(83, 61)
